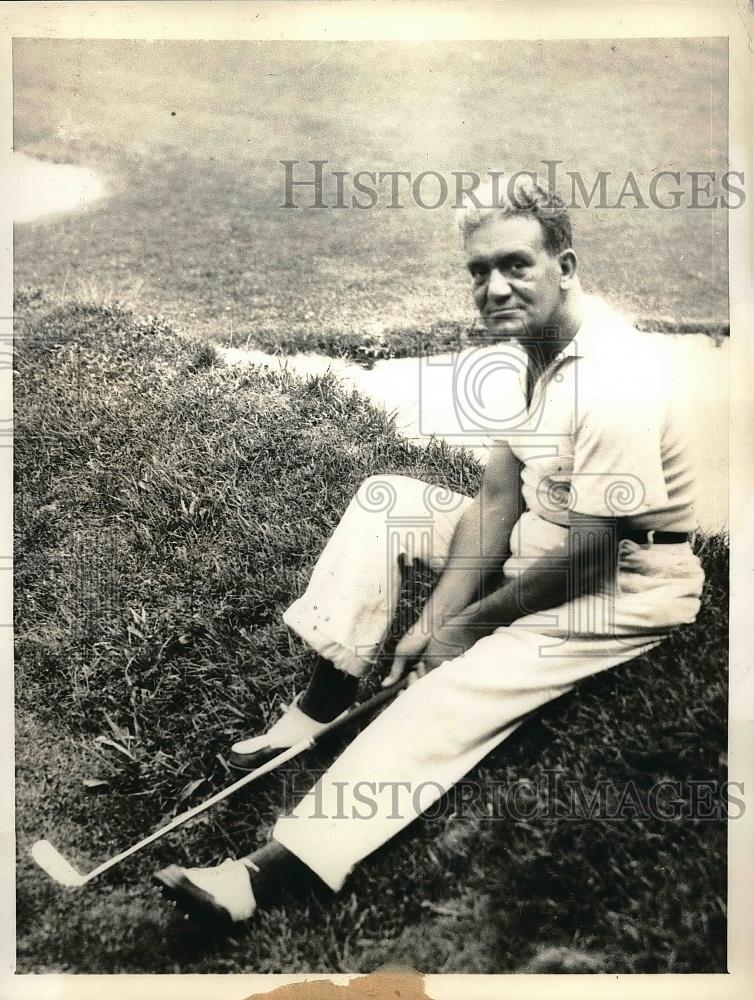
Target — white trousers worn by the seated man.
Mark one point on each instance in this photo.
(446, 722)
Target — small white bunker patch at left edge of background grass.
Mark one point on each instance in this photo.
(41, 188)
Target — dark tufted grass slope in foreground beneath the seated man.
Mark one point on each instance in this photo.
(153, 561)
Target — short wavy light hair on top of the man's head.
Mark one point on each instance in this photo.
(524, 197)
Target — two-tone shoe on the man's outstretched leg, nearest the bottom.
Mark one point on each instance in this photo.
(222, 896)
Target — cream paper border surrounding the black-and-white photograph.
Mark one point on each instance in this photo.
(433, 20)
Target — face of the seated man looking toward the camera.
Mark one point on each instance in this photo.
(516, 281)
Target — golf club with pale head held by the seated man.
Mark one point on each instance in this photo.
(52, 862)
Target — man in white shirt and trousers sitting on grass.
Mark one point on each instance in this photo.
(596, 570)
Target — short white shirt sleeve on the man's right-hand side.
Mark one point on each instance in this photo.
(617, 463)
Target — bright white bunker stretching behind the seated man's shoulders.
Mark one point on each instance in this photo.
(420, 394)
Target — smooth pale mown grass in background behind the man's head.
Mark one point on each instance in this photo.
(190, 137)
